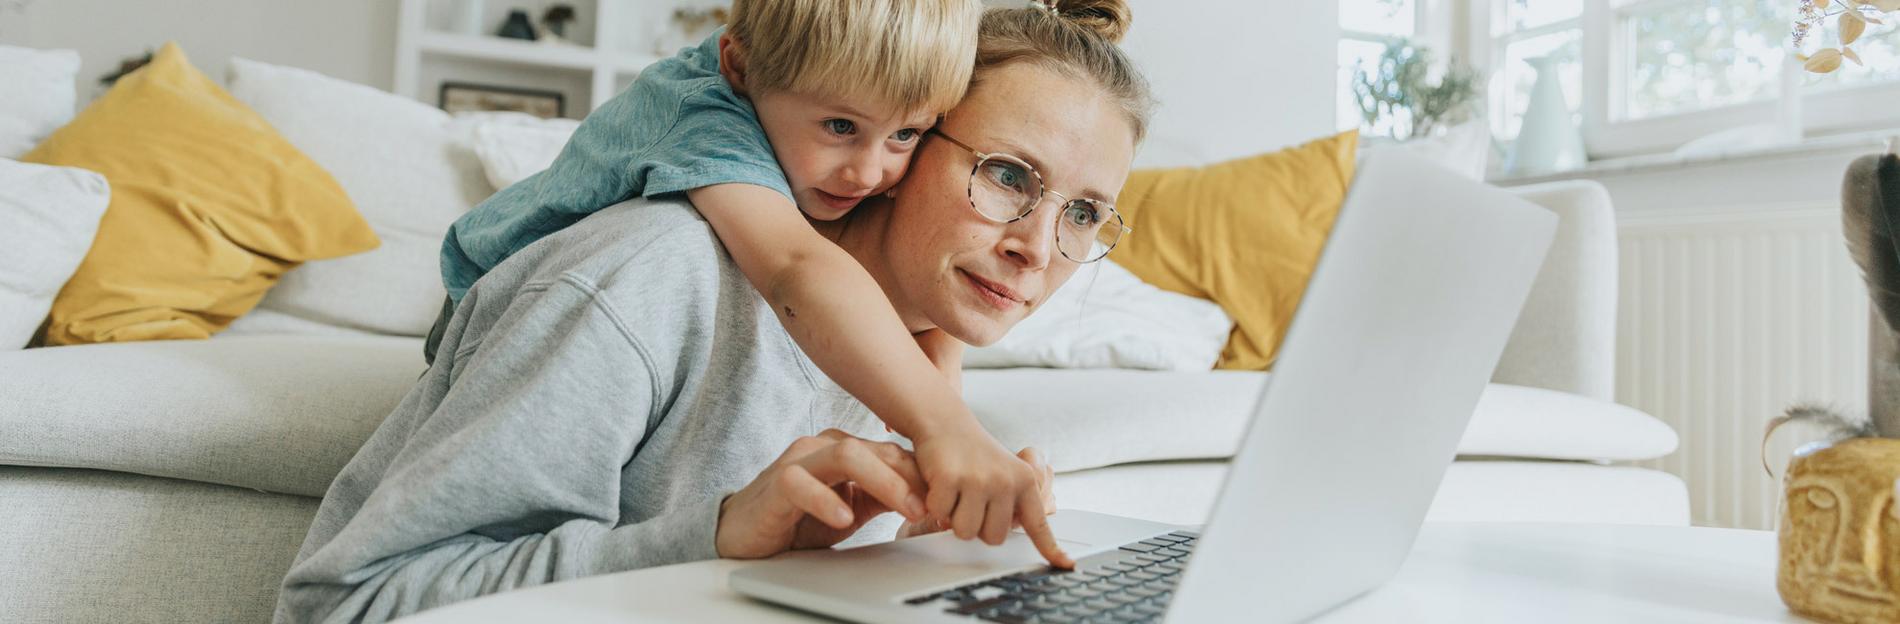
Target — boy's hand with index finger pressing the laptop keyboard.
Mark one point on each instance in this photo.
(983, 490)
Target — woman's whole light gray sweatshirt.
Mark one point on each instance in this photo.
(592, 404)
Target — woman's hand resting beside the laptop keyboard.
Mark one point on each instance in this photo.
(816, 496)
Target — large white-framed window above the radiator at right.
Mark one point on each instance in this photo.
(1652, 75)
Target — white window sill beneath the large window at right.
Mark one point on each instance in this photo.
(1874, 142)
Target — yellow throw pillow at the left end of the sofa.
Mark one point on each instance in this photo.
(210, 206)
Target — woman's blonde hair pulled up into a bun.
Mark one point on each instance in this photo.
(1073, 37)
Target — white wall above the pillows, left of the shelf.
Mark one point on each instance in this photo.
(345, 39)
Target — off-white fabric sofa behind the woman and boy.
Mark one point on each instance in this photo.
(176, 480)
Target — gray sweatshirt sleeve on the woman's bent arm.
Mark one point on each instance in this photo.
(512, 480)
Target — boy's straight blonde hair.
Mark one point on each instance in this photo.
(907, 54)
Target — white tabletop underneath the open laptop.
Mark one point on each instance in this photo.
(1456, 574)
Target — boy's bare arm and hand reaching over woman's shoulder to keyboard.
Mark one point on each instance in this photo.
(845, 322)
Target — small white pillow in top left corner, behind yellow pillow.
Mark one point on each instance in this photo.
(37, 98)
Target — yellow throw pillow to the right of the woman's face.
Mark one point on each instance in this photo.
(1244, 233)
